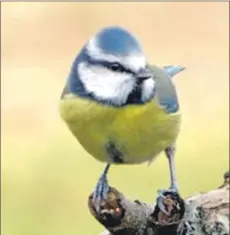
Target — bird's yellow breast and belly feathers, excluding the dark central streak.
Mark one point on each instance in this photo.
(139, 132)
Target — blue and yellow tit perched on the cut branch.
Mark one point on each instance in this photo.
(119, 107)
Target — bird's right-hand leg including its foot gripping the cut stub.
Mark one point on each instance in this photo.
(170, 154)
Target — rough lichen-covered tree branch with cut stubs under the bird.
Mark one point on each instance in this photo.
(204, 214)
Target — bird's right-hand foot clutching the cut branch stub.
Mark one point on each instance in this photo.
(162, 198)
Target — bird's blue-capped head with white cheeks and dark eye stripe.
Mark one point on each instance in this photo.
(112, 69)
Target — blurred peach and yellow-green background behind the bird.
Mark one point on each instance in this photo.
(46, 175)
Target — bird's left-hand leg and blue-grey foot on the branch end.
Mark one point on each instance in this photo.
(102, 188)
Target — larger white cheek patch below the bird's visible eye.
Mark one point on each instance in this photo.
(105, 84)
